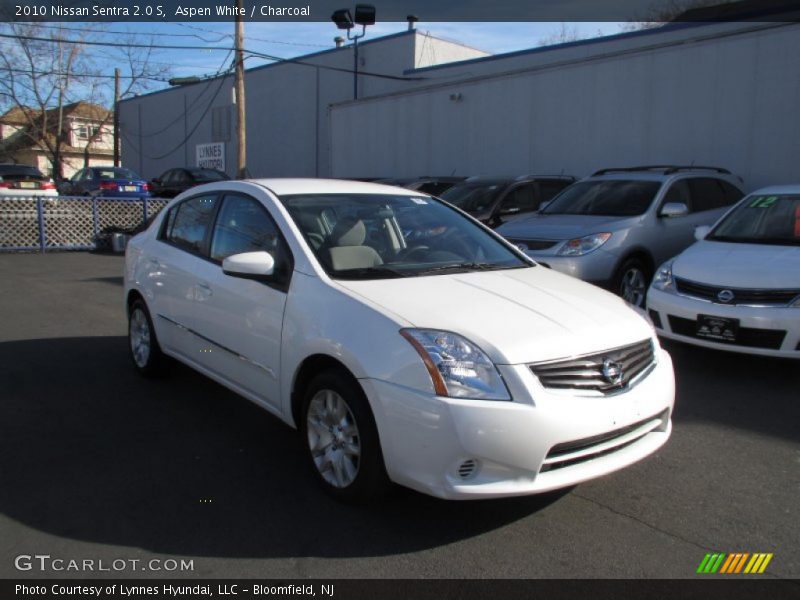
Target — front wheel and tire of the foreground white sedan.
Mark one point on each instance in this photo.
(341, 440)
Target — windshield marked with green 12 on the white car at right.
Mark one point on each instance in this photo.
(762, 219)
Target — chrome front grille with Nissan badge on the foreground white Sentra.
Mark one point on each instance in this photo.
(598, 372)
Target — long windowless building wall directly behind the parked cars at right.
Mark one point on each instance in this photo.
(717, 97)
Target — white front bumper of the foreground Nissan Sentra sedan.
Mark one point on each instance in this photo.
(542, 440)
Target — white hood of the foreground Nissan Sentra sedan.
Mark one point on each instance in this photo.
(516, 316)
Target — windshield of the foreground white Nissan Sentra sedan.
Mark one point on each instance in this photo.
(372, 236)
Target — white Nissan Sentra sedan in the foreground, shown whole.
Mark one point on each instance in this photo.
(405, 340)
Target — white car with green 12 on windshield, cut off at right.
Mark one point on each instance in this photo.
(738, 287)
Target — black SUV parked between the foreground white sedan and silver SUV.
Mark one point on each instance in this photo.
(495, 200)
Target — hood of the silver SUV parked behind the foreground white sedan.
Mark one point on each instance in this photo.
(561, 227)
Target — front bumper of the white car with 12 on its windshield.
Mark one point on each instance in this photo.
(674, 316)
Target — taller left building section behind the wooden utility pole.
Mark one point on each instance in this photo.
(287, 109)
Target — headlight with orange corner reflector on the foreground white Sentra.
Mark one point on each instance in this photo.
(458, 368)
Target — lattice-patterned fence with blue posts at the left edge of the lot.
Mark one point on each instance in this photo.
(69, 223)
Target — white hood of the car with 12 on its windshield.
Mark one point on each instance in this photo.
(740, 265)
